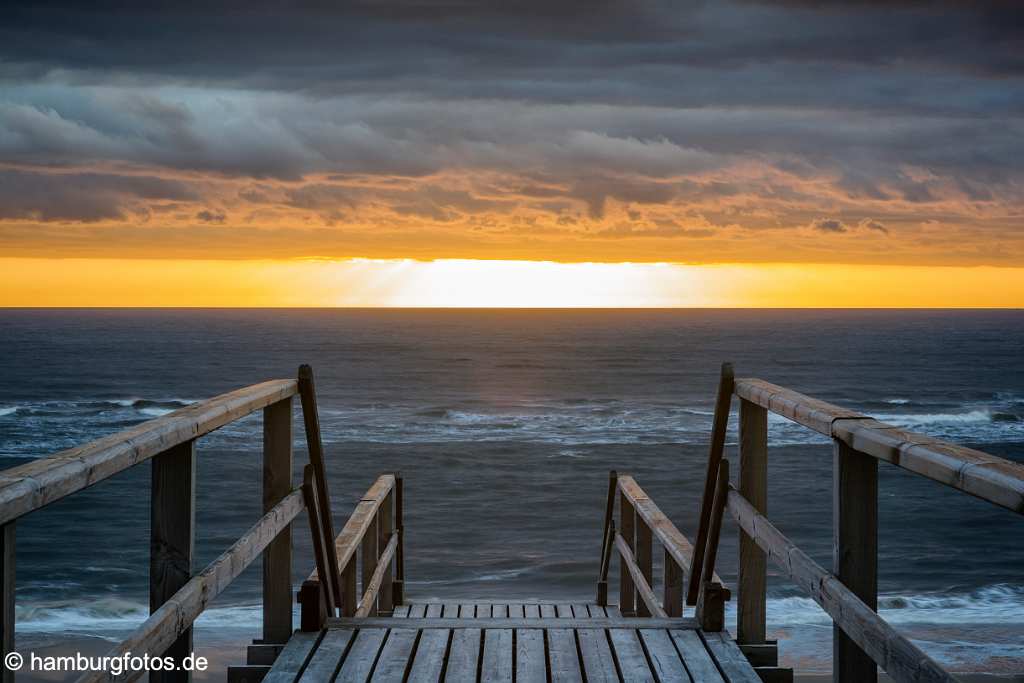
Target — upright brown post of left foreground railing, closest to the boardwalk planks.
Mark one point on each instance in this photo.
(278, 557)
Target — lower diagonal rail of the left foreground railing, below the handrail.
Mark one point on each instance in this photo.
(177, 616)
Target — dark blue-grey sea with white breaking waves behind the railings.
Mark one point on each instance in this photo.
(505, 425)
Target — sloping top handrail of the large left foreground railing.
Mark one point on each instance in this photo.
(42, 482)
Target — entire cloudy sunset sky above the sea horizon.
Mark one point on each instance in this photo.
(620, 153)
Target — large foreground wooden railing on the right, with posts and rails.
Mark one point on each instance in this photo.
(863, 641)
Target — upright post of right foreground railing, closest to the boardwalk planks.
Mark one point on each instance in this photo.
(753, 580)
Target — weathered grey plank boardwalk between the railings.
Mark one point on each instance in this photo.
(498, 642)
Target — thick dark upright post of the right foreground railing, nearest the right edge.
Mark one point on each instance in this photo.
(856, 551)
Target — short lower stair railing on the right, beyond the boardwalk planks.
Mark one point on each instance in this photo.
(641, 523)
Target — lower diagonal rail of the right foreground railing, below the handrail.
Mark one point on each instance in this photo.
(898, 656)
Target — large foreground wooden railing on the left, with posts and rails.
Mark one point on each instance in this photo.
(178, 596)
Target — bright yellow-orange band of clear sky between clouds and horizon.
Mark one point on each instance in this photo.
(30, 282)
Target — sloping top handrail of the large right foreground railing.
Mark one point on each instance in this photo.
(987, 477)
